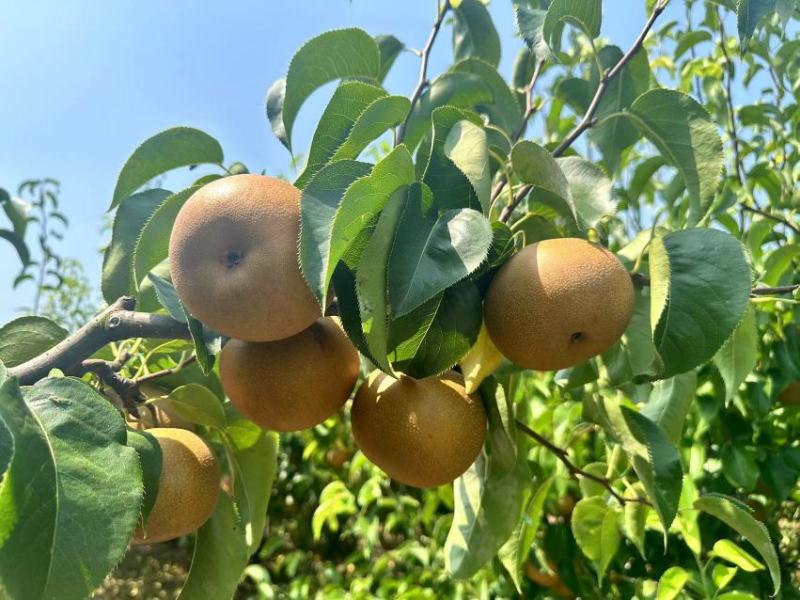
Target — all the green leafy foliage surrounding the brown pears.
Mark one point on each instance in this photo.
(666, 467)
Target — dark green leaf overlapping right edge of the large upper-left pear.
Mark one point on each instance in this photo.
(319, 203)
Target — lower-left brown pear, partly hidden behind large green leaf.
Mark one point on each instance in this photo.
(187, 489)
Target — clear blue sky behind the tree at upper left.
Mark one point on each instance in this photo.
(85, 81)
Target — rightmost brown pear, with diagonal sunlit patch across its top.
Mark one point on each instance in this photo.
(557, 303)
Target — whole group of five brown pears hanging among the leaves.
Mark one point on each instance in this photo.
(233, 261)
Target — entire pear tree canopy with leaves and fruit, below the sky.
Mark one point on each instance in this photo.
(503, 335)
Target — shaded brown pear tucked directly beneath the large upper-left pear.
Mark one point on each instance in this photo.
(291, 384)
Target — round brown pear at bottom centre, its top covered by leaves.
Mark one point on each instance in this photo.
(421, 432)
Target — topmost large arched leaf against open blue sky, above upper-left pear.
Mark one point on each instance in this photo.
(332, 55)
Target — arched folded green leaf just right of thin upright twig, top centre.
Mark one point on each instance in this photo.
(459, 90)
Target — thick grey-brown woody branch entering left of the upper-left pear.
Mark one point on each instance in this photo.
(117, 322)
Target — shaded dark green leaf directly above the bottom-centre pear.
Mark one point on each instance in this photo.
(432, 338)
